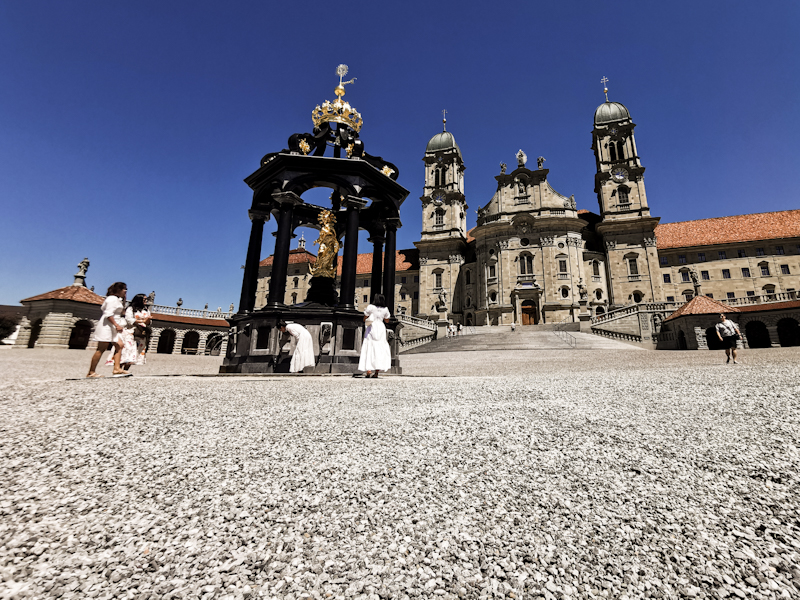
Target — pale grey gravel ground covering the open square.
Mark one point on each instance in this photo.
(613, 474)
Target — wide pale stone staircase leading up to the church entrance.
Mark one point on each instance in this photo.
(529, 338)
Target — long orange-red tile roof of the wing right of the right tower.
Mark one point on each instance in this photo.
(727, 230)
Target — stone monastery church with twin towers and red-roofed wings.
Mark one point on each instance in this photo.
(533, 255)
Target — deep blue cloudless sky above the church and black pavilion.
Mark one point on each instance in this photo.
(127, 128)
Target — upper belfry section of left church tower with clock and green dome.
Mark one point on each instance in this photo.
(444, 208)
